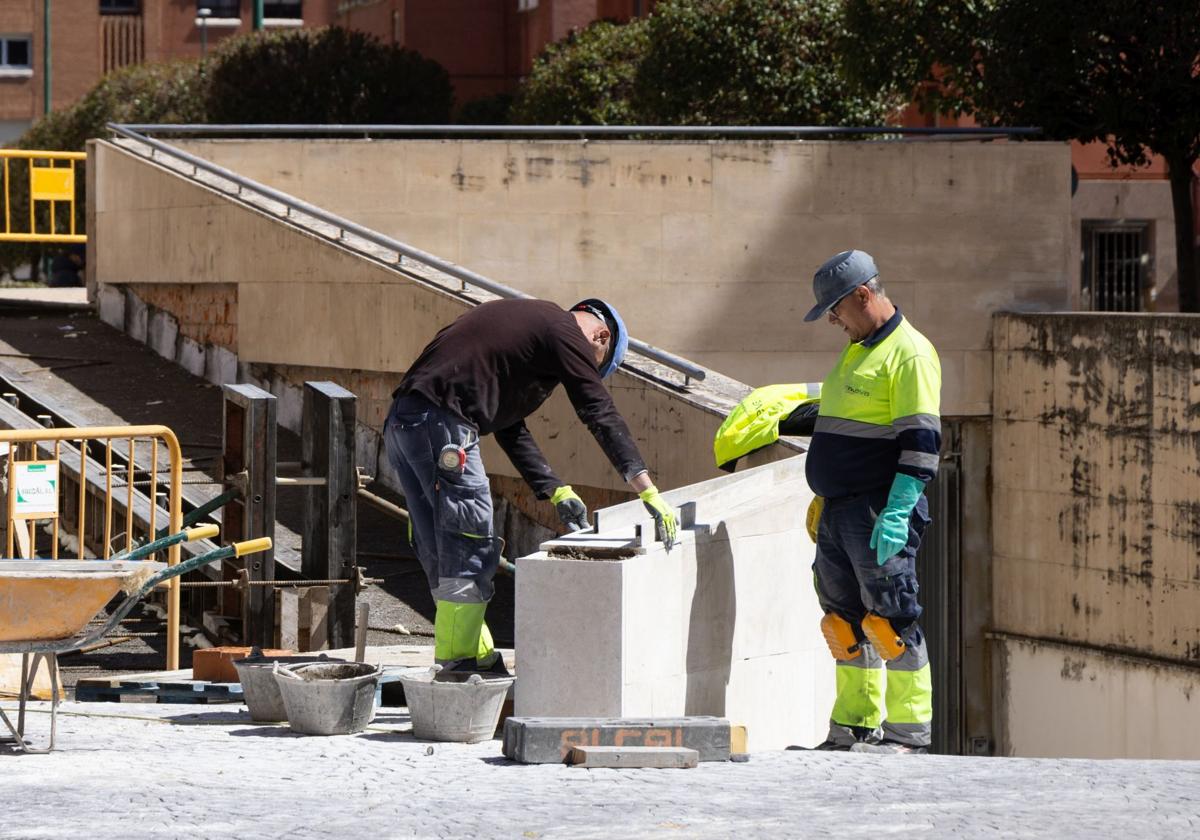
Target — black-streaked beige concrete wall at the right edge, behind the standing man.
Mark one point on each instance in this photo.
(1096, 514)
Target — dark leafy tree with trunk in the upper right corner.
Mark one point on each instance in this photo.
(1126, 74)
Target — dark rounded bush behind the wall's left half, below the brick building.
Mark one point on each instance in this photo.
(325, 76)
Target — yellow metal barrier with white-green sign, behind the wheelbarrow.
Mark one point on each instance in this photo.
(35, 494)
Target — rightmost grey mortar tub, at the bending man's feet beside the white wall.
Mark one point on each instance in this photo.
(460, 712)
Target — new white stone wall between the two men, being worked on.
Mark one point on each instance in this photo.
(725, 625)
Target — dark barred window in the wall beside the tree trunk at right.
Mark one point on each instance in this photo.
(1118, 260)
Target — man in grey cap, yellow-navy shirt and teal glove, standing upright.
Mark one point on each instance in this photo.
(875, 447)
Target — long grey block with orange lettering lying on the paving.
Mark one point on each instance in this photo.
(549, 741)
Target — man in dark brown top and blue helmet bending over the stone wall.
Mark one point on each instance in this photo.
(484, 375)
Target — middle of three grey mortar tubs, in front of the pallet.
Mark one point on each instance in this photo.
(328, 698)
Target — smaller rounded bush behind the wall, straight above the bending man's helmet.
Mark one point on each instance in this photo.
(585, 80)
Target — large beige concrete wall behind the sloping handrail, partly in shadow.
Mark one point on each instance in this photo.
(709, 249)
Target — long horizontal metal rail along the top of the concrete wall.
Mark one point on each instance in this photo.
(586, 131)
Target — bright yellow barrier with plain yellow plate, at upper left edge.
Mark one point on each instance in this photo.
(52, 178)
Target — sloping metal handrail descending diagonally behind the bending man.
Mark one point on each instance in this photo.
(464, 275)
